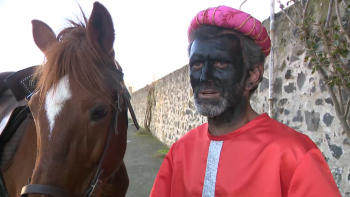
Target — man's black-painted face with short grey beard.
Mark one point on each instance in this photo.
(216, 72)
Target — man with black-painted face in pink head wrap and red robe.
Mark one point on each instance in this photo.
(238, 152)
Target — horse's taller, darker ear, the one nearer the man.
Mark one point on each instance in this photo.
(100, 29)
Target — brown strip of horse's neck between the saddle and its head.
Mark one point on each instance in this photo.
(21, 169)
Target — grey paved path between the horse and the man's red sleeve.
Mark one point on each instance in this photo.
(142, 161)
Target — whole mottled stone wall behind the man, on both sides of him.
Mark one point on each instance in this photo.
(301, 102)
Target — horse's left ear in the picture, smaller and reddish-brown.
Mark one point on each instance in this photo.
(43, 35)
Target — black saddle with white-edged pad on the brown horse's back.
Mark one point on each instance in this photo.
(14, 113)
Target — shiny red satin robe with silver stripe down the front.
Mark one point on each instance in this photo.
(264, 158)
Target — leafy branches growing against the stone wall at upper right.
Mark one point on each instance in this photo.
(327, 61)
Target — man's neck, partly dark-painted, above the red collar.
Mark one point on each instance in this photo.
(232, 119)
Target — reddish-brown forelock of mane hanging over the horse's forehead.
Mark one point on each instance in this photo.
(73, 55)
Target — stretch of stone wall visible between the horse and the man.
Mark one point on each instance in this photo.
(173, 113)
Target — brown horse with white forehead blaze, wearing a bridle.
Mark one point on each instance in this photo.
(75, 142)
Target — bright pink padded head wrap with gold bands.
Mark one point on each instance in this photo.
(232, 19)
